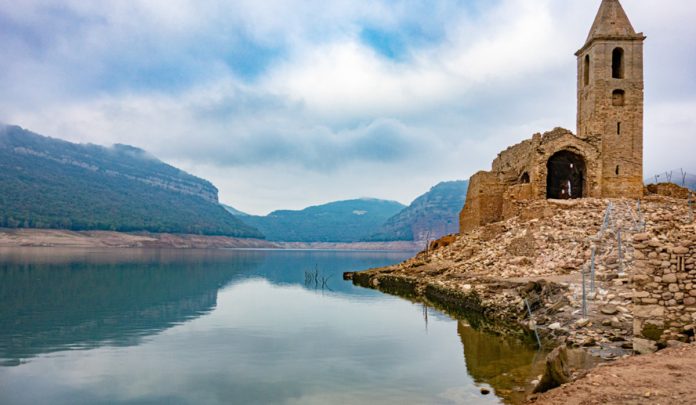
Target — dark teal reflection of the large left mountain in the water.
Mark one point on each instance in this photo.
(92, 300)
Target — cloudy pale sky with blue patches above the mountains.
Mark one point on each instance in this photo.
(289, 103)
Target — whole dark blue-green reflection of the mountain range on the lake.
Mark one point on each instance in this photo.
(56, 299)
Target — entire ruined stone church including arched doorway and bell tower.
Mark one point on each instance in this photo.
(604, 158)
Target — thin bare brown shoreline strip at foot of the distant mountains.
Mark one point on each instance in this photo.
(108, 239)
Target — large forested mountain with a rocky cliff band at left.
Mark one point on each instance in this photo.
(50, 183)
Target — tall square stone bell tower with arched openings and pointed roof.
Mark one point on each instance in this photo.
(610, 99)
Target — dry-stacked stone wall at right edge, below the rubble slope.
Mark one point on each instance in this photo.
(664, 282)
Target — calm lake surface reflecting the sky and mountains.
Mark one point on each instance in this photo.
(242, 327)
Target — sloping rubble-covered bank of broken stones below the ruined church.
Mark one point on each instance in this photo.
(540, 257)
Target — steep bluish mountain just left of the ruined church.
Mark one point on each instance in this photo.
(430, 216)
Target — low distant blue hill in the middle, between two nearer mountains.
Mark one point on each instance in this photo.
(342, 221)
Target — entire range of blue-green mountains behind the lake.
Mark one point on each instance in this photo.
(49, 183)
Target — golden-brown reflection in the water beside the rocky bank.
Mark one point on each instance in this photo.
(503, 363)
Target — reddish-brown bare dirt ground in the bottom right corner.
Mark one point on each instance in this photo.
(665, 377)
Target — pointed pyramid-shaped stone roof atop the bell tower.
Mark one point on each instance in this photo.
(612, 23)
